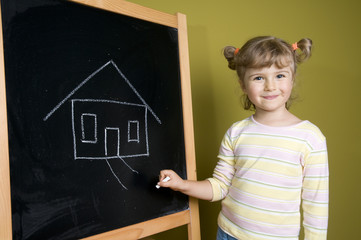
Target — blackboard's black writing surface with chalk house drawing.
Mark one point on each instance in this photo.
(94, 112)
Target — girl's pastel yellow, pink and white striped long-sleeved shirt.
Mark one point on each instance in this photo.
(263, 173)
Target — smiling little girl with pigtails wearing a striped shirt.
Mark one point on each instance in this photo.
(271, 160)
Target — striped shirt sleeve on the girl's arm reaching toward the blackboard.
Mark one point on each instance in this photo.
(224, 170)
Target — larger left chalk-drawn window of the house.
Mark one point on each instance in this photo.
(89, 128)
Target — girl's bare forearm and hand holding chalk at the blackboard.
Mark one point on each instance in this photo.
(198, 189)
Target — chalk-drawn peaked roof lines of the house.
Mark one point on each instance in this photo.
(111, 62)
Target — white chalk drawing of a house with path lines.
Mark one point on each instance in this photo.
(105, 129)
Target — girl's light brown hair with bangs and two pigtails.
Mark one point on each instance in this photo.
(265, 51)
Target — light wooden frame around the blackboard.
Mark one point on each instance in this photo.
(188, 217)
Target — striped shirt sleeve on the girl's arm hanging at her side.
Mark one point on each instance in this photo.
(315, 194)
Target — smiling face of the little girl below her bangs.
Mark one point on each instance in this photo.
(268, 88)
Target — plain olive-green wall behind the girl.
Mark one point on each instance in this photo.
(329, 87)
